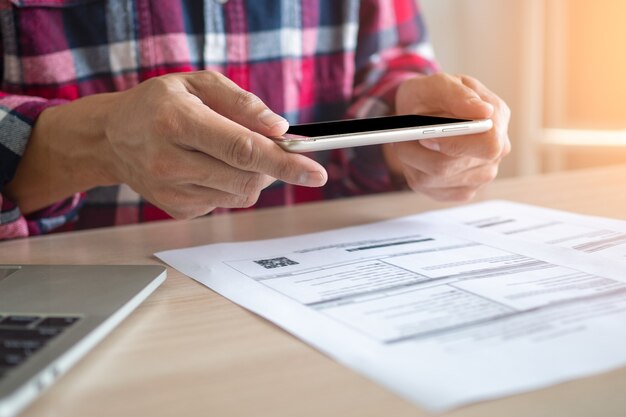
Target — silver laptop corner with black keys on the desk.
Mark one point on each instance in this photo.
(52, 315)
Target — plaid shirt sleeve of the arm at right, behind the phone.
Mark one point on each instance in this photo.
(392, 46)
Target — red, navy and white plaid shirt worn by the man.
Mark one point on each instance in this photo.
(309, 60)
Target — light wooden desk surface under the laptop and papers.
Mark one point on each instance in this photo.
(188, 351)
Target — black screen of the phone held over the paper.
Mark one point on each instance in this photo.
(345, 127)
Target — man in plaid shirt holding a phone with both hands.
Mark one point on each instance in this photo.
(171, 100)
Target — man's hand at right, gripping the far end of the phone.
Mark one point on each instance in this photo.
(450, 168)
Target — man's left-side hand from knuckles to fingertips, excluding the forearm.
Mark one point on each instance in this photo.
(192, 142)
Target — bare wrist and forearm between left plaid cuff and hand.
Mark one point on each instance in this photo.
(67, 153)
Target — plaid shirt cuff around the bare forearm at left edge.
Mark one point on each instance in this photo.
(18, 115)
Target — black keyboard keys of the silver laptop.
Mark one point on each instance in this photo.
(23, 335)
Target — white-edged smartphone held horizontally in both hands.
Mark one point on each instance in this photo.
(322, 136)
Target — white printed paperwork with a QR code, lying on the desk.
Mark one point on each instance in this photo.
(444, 308)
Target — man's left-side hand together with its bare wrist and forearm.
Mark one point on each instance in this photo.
(187, 142)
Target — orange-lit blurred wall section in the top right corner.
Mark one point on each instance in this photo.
(585, 64)
